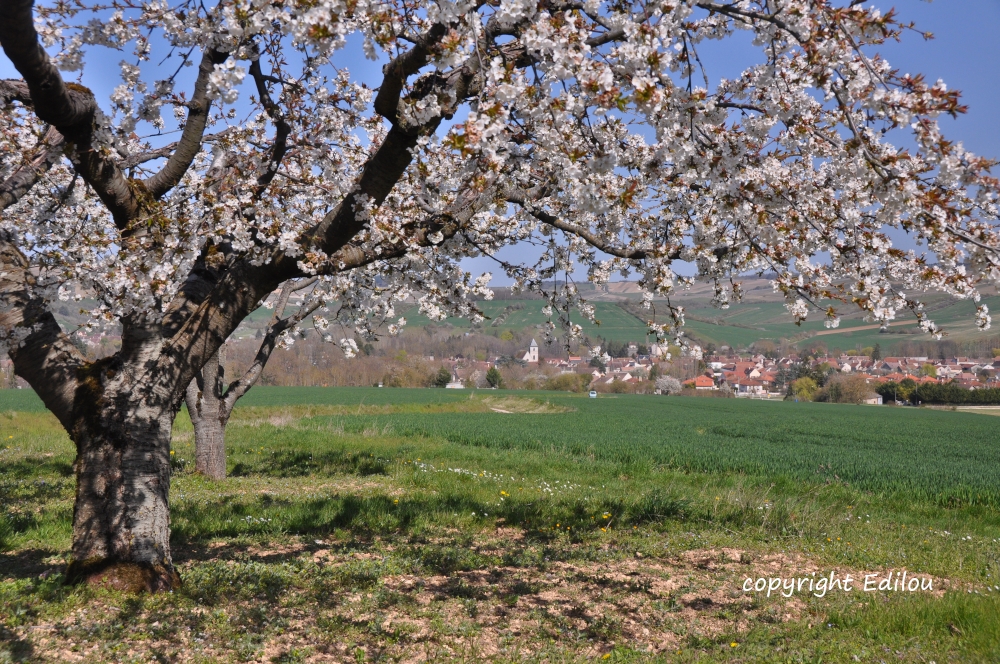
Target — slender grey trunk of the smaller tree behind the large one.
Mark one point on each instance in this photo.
(209, 417)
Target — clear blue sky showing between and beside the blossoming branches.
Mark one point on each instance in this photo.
(964, 53)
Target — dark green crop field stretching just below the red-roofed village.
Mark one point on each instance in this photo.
(883, 450)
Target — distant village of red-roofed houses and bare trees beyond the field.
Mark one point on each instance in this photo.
(864, 377)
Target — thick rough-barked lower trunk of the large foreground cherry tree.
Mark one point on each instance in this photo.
(121, 520)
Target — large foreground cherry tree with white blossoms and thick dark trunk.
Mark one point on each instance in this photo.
(237, 153)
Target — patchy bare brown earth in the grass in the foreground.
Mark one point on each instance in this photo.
(651, 604)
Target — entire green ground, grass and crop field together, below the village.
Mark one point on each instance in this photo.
(443, 525)
